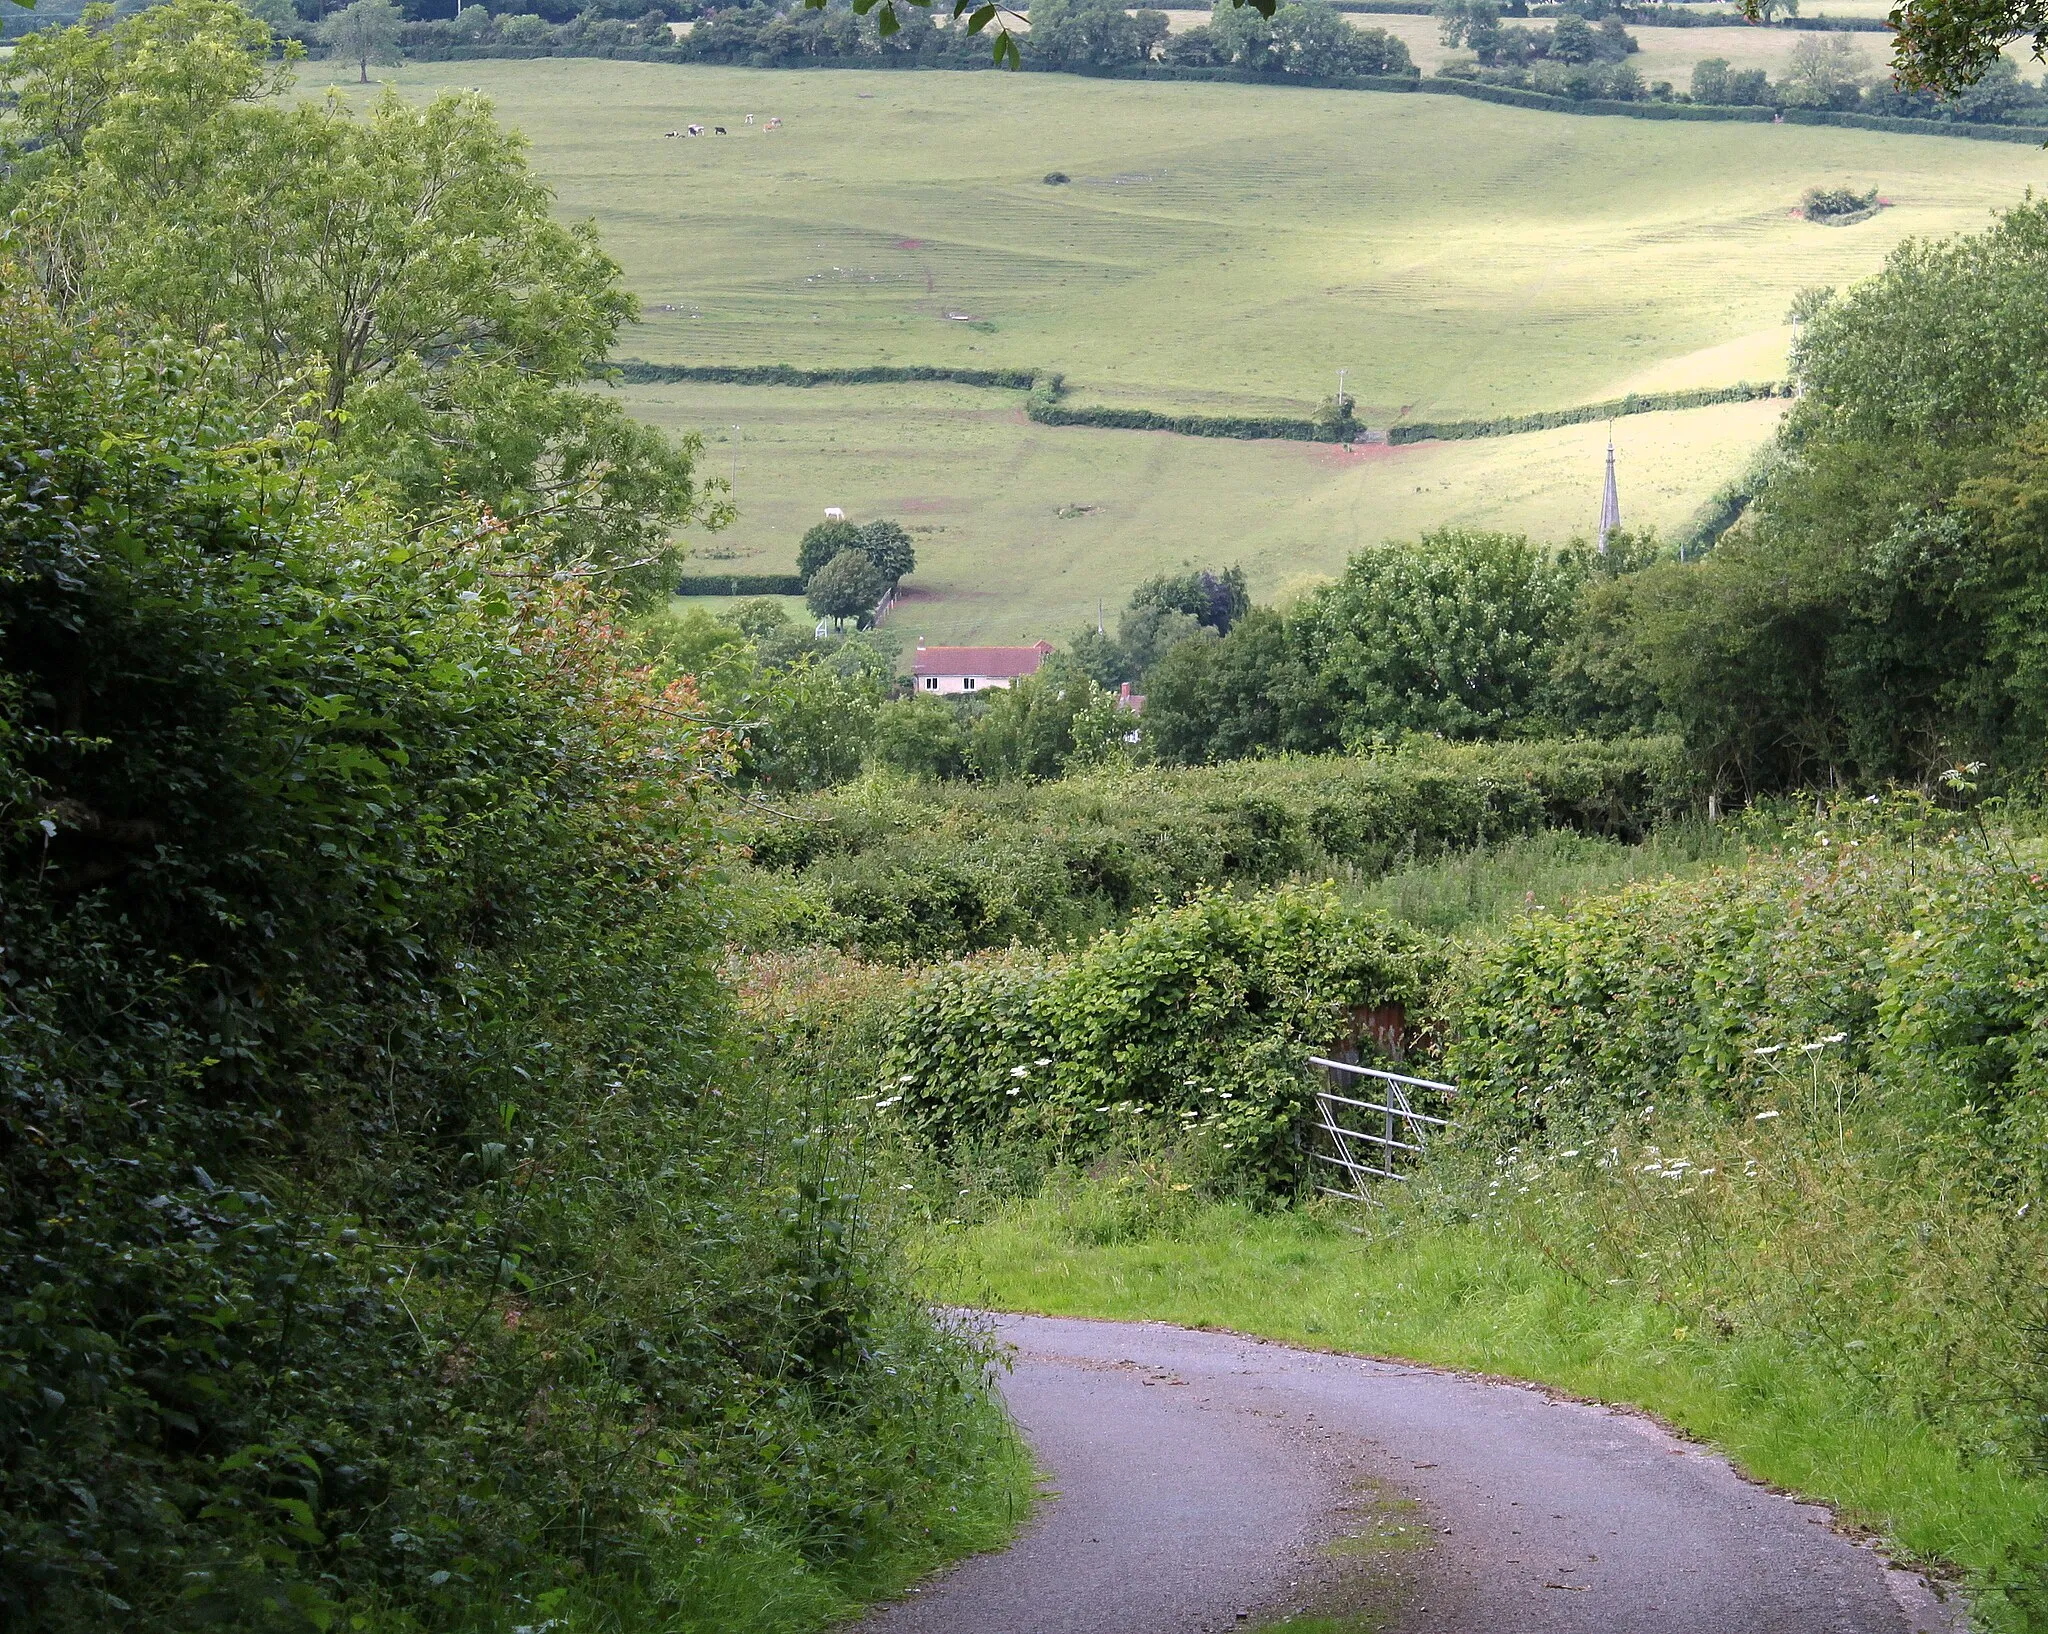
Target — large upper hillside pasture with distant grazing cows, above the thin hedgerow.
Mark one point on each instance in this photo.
(1220, 247)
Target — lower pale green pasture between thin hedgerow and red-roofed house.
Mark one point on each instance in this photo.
(1021, 529)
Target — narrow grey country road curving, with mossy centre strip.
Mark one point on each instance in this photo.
(1209, 1481)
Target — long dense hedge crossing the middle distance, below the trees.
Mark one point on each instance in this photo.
(921, 871)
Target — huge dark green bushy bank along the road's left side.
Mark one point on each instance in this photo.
(390, 1234)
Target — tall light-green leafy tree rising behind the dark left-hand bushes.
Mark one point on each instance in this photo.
(398, 277)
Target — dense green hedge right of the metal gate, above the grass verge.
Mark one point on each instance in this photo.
(1910, 963)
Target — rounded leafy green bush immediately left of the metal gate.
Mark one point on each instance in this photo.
(1193, 1025)
